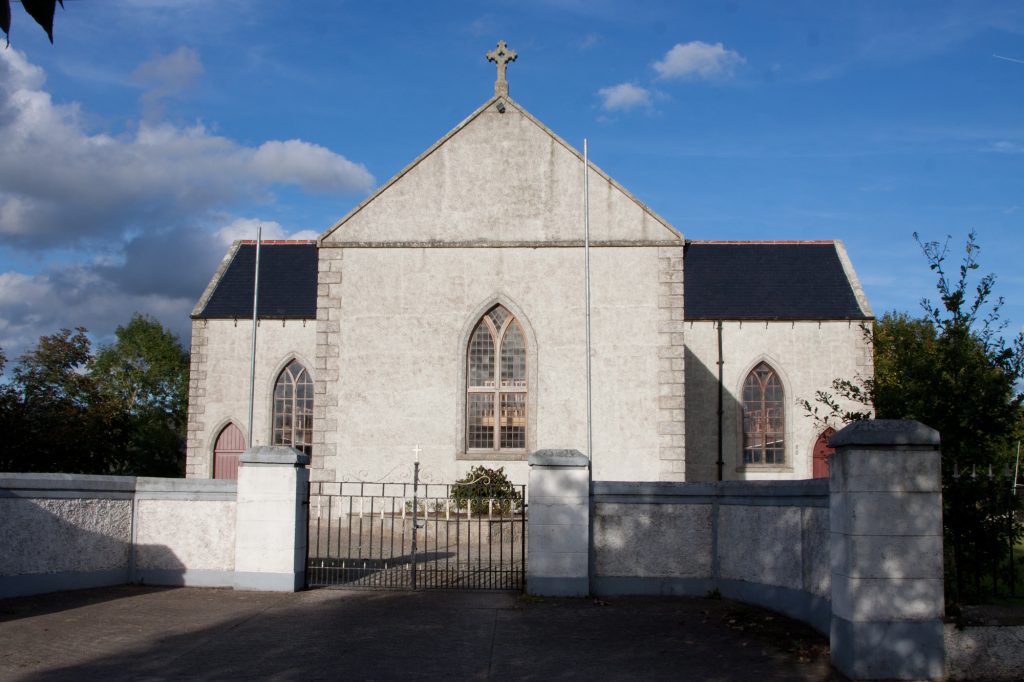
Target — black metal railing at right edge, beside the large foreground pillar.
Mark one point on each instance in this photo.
(984, 524)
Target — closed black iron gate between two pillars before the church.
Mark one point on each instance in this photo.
(399, 536)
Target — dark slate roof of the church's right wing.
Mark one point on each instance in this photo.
(767, 281)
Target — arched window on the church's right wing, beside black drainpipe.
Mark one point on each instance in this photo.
(764, 417)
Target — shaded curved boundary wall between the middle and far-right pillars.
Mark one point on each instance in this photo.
(760, 542)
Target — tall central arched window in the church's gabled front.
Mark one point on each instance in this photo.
(496, 385)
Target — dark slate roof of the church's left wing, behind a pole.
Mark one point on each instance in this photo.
(287, 283)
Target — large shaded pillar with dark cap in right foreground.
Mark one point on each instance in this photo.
(887, 575)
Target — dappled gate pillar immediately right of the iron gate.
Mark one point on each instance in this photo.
(559, 565)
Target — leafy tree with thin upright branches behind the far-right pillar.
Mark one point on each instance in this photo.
(951, 369)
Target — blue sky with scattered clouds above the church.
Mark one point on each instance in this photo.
(155, 132)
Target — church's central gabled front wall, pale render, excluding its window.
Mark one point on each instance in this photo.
(493, 214)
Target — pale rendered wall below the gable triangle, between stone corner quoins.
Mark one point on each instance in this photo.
(404, 323)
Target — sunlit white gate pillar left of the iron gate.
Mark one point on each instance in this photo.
(271, 520)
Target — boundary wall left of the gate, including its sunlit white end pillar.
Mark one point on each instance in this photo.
(70, 532)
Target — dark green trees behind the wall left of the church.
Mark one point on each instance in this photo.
(122, 412)
